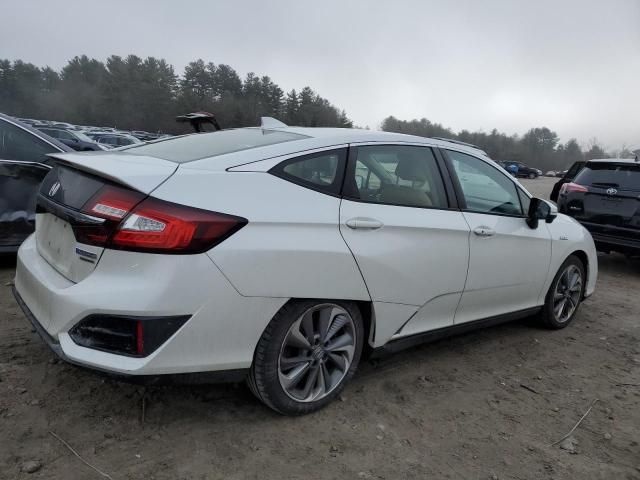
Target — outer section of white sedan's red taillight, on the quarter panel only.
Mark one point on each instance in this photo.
(164, 227)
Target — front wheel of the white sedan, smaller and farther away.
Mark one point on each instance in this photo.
(565, 294)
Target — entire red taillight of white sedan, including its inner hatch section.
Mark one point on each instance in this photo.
(135, 223)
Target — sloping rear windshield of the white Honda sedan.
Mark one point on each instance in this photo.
(202, 145)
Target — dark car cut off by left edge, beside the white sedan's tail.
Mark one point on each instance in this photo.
(23, 165)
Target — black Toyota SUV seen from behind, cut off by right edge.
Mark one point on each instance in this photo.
(605, 198)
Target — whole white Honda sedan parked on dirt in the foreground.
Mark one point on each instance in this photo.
(282, 255)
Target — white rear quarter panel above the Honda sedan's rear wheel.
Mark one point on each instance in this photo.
(291, 246)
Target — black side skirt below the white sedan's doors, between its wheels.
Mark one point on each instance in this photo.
(409, 341)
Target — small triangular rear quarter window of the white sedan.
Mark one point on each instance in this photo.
(322, 171)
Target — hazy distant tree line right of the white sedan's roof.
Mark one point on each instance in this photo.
(539, 147)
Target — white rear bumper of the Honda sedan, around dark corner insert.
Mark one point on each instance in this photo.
(220, 336)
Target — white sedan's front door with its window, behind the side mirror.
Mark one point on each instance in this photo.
(509, 261)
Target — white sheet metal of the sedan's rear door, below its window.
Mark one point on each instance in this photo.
(398, 259)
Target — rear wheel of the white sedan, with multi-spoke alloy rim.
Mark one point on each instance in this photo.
(307, 353)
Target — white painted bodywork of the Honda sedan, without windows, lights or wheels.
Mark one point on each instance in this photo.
(412, 270)
